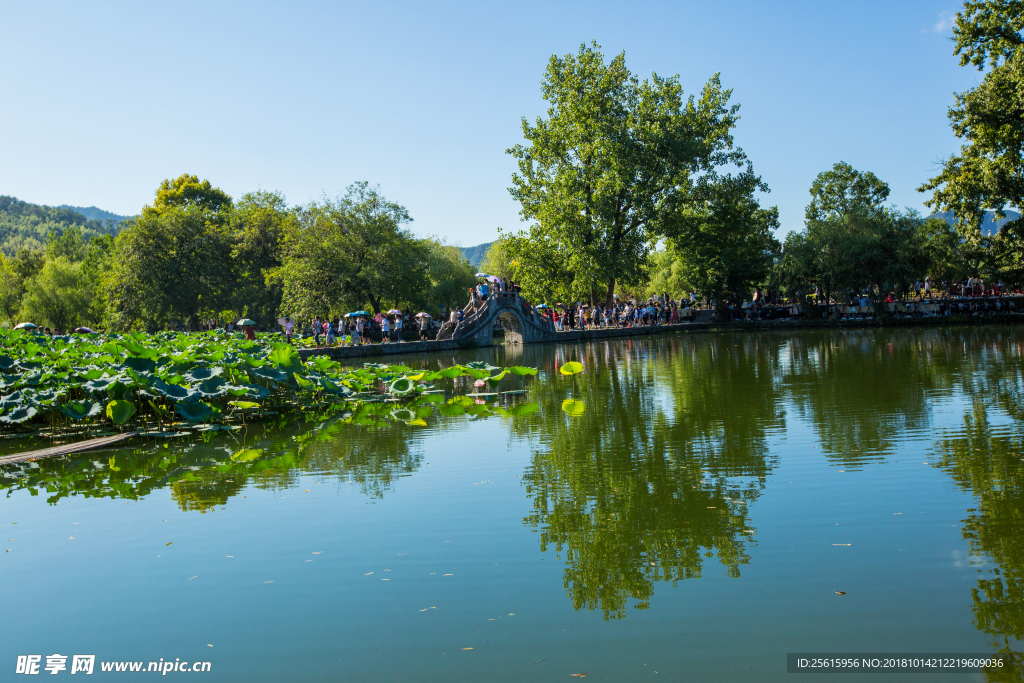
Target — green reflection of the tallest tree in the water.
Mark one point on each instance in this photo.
(656, 477)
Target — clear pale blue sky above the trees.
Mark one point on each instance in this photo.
(101, 102)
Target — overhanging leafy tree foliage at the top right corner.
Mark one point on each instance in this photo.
(989, 172)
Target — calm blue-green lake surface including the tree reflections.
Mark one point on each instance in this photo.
(695, 524)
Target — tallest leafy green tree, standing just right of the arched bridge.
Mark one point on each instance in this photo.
(615, 160)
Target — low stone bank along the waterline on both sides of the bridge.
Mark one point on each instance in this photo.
(374, 351)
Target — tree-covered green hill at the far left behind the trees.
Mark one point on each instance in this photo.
(25, 226)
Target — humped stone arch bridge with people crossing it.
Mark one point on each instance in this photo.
(521, 321)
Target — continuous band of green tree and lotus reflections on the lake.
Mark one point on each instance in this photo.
(657, 481)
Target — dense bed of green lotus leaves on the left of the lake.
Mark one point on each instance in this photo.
(161, 385)
